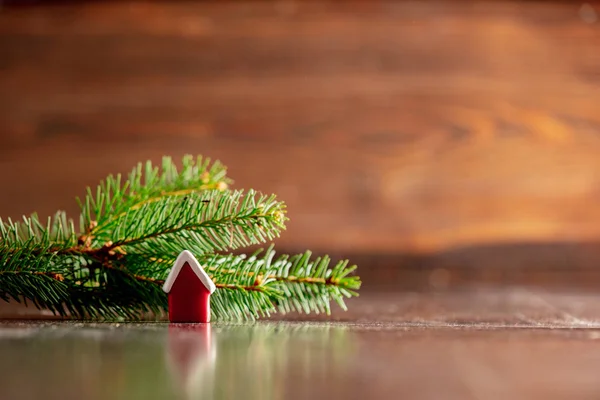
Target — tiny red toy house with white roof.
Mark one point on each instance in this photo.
(189, 289)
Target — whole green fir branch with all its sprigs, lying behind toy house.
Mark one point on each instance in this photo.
(133, 229)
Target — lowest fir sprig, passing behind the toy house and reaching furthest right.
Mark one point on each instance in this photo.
(284, 284)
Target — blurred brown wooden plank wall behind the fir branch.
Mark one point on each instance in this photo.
(386, 126)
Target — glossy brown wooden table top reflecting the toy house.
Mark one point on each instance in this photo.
(471, 345)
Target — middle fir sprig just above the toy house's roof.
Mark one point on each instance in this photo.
(212, 221)
